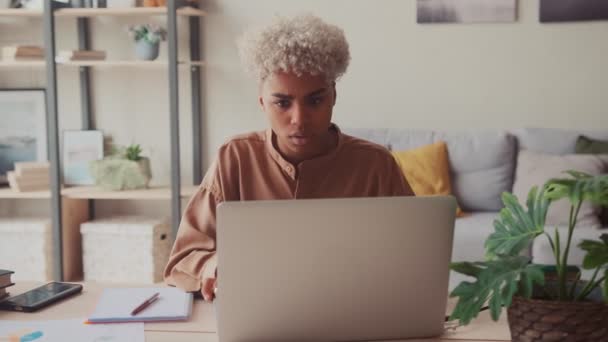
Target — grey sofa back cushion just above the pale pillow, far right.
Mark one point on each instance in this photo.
(554, 141)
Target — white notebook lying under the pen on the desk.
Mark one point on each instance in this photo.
(116, 305)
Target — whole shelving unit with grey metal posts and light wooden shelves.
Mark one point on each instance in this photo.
(70, 206)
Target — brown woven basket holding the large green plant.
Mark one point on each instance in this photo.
(532, 320)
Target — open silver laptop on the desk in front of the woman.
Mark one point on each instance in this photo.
(333, 269)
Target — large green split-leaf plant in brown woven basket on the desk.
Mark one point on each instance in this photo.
(544, 303)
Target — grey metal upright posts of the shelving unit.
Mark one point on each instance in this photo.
(84, 42)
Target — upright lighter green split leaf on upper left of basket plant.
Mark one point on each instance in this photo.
(515, 227)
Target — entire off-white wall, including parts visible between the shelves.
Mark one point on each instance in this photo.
(442, 76)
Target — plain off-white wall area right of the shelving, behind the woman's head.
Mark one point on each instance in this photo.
(442, 76)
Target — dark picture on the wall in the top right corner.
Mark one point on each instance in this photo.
(573, 10)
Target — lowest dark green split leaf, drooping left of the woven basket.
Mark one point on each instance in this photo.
(497, 281)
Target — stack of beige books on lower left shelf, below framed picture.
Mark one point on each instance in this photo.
(29, 176)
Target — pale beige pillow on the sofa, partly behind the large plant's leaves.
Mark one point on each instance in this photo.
(535, 168)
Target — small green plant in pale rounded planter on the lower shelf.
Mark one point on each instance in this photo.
(123, 169)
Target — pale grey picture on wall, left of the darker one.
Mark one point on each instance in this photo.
(466, 11)
